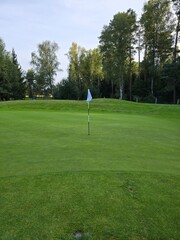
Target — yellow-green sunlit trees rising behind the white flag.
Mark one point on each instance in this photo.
(85, 71)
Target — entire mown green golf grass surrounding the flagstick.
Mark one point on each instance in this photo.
(121, 182)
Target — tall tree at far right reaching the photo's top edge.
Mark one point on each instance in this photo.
(158, 28)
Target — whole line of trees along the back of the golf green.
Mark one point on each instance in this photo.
(137, 60)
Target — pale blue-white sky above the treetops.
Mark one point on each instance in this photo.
(26, 23)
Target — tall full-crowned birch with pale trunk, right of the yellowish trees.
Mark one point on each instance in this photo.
(116, 44)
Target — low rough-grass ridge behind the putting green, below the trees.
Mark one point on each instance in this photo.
(97, 105)
